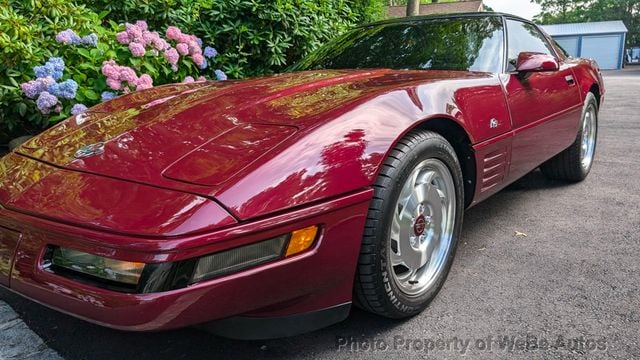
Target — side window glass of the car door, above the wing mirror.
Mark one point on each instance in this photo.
(524, 37)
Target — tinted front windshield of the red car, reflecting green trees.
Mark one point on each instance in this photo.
(465, 43)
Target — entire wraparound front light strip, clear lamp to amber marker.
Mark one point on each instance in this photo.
(136, 277)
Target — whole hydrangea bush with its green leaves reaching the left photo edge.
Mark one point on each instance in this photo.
(53, 69)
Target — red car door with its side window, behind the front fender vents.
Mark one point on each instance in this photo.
(545, 107)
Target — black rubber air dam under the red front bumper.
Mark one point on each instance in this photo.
(263, 328)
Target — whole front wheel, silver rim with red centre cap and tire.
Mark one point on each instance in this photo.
(412, 229)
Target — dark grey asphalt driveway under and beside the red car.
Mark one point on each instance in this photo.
(572, 281)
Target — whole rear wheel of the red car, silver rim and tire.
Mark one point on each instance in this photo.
(574, 163)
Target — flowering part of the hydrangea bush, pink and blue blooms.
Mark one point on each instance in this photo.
(147, 54)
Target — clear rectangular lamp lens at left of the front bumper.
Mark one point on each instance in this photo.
(124, 272)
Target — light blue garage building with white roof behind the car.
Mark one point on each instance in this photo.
(603, 41)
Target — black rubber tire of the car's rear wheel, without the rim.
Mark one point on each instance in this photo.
(567, 166)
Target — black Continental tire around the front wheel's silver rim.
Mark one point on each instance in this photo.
(374, 290)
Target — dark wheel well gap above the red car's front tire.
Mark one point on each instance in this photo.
(459, 139)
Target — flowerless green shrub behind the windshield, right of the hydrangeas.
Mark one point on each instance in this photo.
(255, 36)
